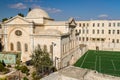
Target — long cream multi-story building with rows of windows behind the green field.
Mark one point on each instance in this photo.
(99, 34)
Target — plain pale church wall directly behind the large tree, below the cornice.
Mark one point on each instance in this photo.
(48, 41)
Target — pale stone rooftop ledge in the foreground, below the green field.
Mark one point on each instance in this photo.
(76, 73)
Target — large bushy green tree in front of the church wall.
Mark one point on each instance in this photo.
(41, 61)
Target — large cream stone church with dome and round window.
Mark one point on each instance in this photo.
(24, 34)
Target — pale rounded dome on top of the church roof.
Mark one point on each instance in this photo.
(37, 13)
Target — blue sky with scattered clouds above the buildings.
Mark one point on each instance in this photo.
(64, 9)
